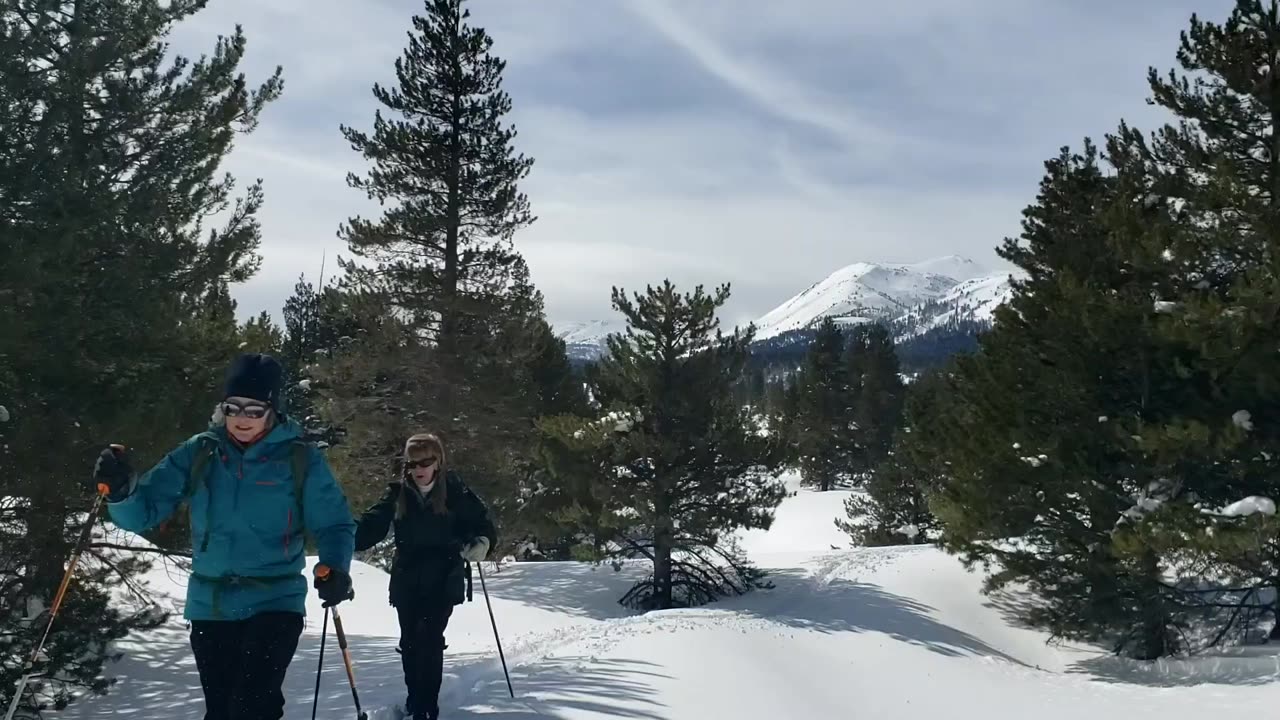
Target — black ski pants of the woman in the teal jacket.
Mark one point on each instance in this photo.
(243, 664)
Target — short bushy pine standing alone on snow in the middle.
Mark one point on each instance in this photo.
(676, 466)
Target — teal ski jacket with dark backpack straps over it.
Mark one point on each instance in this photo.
(246, 521)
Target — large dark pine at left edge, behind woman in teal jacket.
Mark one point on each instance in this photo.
(109, 171)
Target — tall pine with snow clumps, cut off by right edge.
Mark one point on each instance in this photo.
(1212, 240)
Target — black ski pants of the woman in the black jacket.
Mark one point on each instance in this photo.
(423, 654)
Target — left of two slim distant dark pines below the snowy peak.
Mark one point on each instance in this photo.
(824, 417)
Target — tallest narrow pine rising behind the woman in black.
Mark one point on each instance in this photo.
(444, 262)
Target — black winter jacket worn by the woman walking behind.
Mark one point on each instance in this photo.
(428, 568)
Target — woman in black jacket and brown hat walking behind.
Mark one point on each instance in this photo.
(440, 525)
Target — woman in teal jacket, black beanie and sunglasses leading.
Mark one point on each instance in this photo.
(253, 487)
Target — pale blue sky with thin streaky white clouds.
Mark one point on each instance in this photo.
(751, 143)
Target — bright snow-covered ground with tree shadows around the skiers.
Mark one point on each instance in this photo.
(895, 634)
